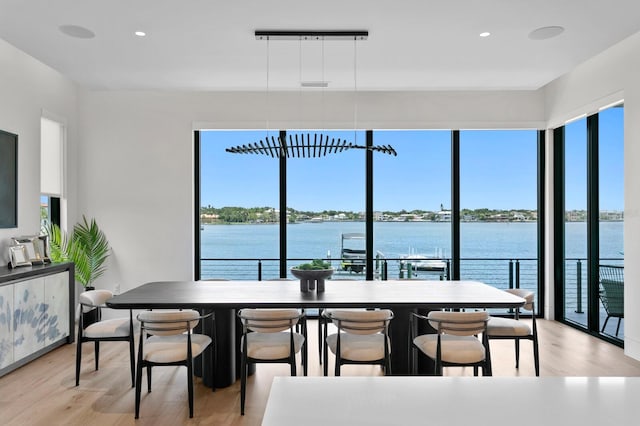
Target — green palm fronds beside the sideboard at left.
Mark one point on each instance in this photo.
(87, 247)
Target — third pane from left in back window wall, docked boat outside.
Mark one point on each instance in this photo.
(412, 203)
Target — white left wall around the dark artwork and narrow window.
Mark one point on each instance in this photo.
(27, 87)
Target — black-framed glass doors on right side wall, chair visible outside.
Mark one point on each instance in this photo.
(589, 245)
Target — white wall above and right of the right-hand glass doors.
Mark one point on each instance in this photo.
(611, 76)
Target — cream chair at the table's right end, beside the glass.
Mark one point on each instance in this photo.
(516, 329)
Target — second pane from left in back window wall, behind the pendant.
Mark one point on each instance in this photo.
(326, 203)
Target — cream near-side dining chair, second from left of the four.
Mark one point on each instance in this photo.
(269, 336)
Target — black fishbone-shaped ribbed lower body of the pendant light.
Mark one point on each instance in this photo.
(304, 145)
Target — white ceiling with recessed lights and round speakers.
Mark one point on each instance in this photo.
(412, 44)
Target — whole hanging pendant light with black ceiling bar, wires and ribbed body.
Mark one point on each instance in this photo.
(301, 144)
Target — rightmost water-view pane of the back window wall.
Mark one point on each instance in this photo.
(499, 208)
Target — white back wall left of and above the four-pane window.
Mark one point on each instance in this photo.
(135, 162)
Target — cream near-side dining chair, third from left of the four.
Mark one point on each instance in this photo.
(362, 338)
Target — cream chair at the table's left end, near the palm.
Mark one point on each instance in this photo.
(92, 328)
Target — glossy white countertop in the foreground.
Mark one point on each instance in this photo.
(453, 401)
